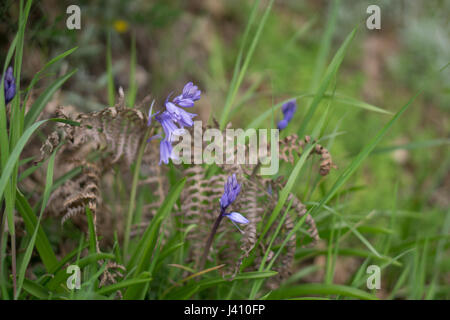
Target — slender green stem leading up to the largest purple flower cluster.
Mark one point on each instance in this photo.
(134, 185)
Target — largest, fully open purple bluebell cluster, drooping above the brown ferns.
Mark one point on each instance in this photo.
(174, 119)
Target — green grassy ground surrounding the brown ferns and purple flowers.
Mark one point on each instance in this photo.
(387, 203)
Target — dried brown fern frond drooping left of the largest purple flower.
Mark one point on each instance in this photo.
(102, 139)
